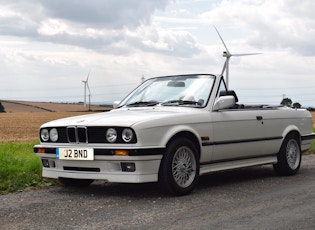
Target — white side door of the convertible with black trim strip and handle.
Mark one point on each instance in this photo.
(237, 134)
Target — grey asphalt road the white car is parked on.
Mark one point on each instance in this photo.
(253, 198)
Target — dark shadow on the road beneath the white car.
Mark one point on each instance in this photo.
(206, 183)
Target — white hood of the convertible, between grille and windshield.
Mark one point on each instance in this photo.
(126, 117)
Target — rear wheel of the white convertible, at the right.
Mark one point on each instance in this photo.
(289, 156)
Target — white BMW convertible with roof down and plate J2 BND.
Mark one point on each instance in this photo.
(171, 130)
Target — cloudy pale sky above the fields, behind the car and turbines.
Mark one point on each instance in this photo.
(47, 47)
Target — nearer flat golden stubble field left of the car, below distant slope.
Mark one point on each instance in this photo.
(23, 127)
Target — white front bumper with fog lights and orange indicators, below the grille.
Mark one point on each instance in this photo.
(122, 169)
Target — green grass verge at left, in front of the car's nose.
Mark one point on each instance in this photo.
(20, 169)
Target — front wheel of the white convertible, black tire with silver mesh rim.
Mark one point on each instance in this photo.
(179, 170)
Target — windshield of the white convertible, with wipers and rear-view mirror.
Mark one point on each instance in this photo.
(182, 90)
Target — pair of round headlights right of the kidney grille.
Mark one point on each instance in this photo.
(126, 135)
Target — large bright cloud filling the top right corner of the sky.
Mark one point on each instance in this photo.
(273, 24)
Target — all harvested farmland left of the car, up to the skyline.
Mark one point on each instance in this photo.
(22, 120)
